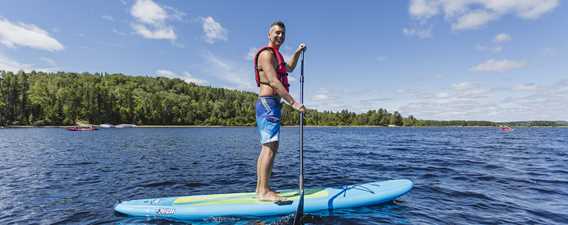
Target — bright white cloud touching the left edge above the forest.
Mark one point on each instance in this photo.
(27, 35)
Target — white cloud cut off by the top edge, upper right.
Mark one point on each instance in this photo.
(472, 14)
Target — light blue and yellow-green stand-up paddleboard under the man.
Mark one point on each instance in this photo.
(246, 204)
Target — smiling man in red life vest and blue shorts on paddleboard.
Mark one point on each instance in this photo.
(271, 76)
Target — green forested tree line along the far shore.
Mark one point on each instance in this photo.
(64, 98)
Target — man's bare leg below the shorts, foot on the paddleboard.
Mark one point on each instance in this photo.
(264, 170)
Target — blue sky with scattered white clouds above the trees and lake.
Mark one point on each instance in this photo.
(498, 60)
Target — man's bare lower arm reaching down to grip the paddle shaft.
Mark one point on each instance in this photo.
(265, 62)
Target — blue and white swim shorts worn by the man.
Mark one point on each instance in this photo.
(268, 114)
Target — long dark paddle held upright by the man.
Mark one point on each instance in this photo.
(298, 218)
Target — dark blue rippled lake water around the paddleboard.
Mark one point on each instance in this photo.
(461, 175)
